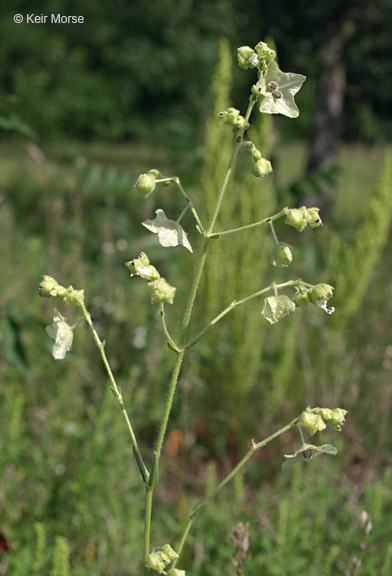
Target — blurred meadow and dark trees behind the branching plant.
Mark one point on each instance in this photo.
(83, 110)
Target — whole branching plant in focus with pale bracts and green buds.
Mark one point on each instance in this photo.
(273, 93)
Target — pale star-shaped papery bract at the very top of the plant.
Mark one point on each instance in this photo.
(288, 84)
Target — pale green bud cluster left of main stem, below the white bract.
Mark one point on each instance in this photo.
(161, 291)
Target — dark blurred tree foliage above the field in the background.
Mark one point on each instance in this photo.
(138, 63)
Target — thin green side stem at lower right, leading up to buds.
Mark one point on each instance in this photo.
(254, 448)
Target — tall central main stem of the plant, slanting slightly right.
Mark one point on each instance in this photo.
(187, 319)
